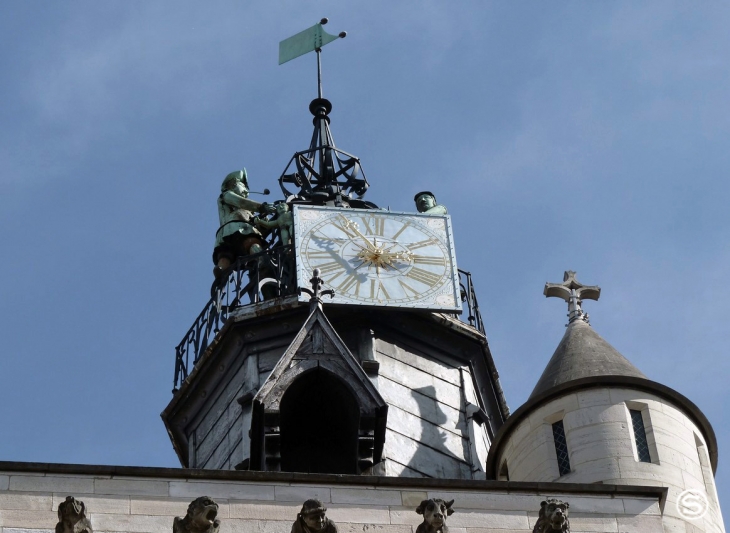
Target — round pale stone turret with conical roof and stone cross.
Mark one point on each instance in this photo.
(593, 417)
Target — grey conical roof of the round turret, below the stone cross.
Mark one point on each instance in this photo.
(583, 354)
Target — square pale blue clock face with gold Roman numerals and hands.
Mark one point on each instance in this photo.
(380, 258)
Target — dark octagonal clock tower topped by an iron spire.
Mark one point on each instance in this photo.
(391, 375)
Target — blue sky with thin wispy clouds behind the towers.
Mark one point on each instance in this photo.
(589, 136)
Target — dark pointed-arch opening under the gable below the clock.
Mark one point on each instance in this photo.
(319, 425)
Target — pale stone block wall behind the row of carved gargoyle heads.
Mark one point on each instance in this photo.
(142, 500)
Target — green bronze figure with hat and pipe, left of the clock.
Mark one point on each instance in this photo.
(237, 234)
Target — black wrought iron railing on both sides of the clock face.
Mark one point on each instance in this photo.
(263, 276)
